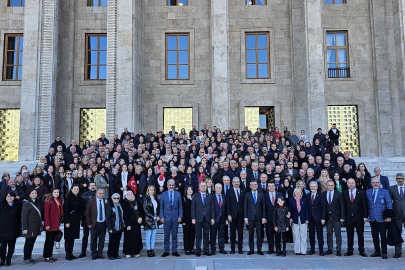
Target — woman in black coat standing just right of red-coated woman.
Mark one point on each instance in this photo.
(72, 209)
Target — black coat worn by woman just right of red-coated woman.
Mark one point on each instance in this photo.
(73, 208)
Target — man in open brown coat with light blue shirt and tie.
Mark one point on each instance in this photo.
(95, 219)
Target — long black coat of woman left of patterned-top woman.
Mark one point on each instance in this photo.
(132, 238)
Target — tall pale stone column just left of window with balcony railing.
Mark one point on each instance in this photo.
(317, 110)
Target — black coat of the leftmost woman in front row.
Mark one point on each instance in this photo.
(10, 220)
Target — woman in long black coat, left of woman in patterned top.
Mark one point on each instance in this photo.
(133, 218)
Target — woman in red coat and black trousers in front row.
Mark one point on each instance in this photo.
(53, 211)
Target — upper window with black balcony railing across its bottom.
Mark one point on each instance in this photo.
(338, 63)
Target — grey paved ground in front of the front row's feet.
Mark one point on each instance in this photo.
(220, 262)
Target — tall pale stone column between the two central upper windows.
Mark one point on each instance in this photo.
(220, 90)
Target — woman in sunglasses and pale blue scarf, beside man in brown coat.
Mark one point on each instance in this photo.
(115, 226)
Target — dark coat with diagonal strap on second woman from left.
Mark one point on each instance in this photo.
(30, 218)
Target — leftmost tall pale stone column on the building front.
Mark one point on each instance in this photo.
(30, 81)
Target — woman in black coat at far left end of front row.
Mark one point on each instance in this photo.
(10, 221)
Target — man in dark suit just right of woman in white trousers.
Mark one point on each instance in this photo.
(317, 207)
